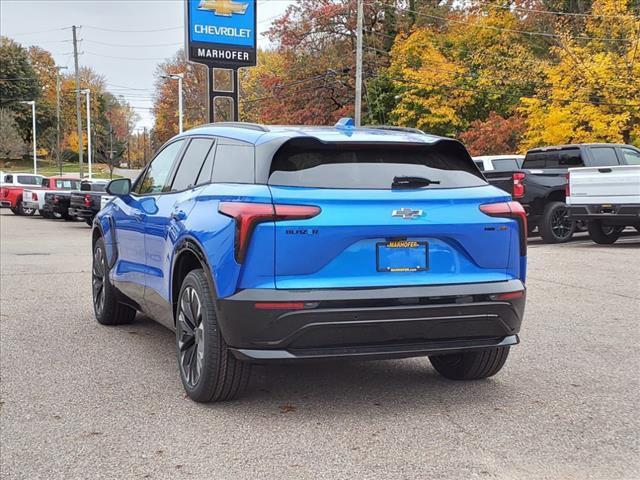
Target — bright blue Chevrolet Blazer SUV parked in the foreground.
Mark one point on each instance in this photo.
(273, 243)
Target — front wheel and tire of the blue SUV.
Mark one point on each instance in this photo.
(107, 309)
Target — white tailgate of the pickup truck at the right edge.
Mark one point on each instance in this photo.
(598, 185)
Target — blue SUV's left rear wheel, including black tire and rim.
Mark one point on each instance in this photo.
(208, 370)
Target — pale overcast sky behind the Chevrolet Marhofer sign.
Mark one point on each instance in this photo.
(123, 40)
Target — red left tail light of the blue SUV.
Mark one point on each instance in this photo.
(248, 215)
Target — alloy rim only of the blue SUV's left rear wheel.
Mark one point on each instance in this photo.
(190, 336)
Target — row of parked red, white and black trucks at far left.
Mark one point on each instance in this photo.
(54, 197)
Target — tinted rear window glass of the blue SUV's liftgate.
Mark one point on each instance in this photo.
(304, 163)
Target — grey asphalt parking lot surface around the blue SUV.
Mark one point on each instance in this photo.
(79, 400)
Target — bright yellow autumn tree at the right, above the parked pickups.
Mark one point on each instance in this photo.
(593, 91)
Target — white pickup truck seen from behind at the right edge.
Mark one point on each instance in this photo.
(607, 198)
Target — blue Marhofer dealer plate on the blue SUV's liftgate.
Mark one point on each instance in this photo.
(402, 256)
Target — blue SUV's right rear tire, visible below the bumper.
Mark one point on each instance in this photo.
(470, 365)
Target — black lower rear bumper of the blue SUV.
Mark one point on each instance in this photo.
(371, 323)
